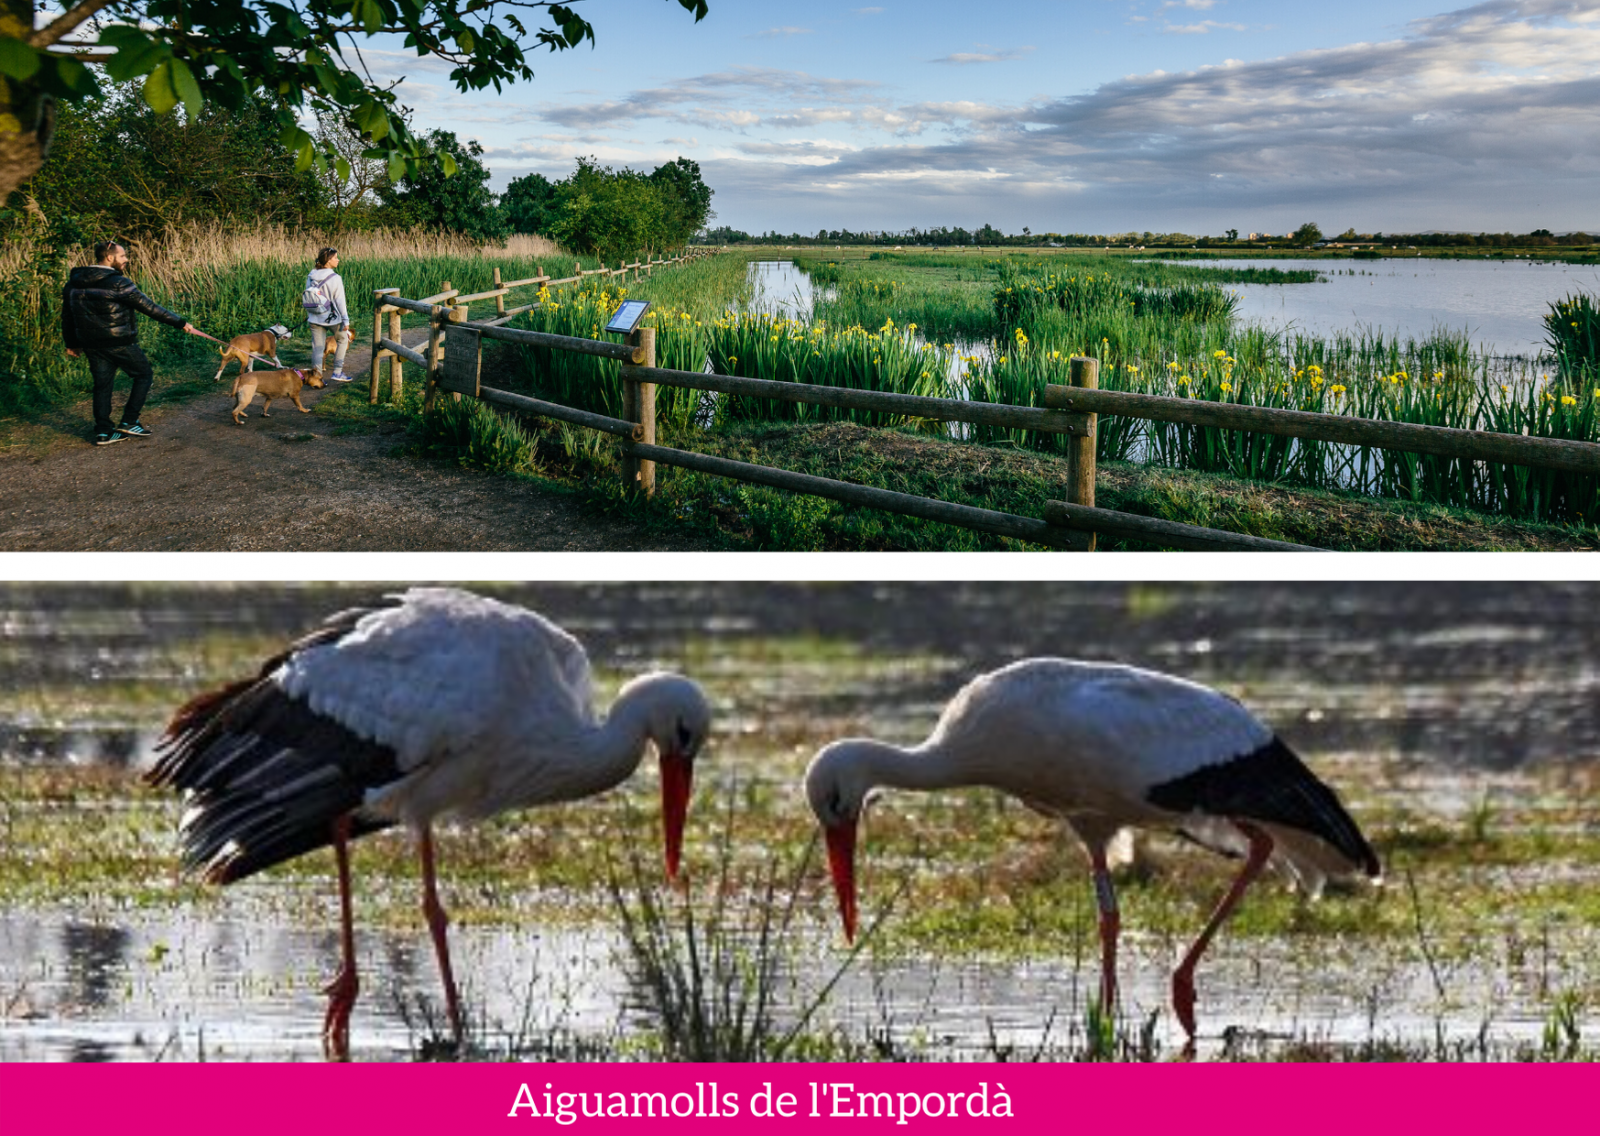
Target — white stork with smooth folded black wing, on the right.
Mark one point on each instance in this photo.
(1103, 748)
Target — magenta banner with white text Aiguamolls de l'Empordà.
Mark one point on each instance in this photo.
(271, 1100)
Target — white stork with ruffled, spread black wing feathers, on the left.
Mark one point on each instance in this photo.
(441, 706)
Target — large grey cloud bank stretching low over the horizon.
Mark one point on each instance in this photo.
(1471, 119)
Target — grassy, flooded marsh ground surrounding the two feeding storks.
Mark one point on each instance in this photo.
(1462, 724)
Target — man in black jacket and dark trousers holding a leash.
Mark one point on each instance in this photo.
(100, 313)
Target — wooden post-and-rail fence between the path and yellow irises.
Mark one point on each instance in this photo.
(1071, 410)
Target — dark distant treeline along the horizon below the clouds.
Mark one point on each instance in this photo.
(1305, 238)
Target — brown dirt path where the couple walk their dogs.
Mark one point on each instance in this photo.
(282, 484)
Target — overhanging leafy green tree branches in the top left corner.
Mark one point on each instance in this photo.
(292, 58)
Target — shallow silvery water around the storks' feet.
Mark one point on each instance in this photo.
(182, 988)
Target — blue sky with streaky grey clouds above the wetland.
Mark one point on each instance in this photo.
(1098, 116)
